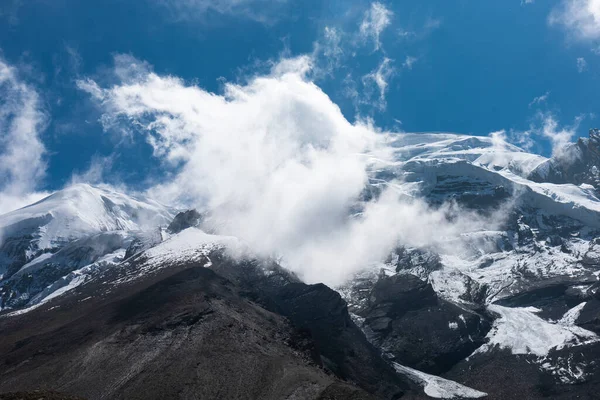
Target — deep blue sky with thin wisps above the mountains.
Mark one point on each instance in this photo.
(465, 66)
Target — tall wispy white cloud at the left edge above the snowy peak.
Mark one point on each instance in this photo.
(22, 119)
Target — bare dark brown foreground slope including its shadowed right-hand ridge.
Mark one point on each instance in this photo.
(187, 332)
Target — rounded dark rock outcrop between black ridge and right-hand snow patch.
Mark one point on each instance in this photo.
(417, 329)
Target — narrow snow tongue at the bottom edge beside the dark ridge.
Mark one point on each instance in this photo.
(437, 387)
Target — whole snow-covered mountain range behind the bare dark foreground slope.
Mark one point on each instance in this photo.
(513, 299)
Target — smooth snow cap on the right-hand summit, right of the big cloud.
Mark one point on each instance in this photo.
(493, 160)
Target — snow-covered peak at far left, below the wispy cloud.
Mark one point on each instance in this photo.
(48, 244)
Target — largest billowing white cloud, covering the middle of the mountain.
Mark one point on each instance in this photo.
(275, 163)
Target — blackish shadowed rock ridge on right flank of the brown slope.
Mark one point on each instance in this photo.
(320, 312)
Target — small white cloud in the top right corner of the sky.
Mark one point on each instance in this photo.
(581, 18)
